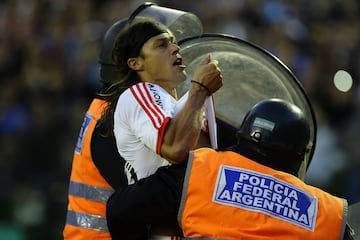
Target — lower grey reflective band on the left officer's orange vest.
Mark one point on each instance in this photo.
(88, 221)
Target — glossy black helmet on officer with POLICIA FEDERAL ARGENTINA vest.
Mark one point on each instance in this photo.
(277, 131)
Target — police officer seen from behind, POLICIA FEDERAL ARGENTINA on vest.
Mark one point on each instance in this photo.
(247, 191)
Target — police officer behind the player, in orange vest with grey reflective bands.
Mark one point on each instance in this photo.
(97, 167)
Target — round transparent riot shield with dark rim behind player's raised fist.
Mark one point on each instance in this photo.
(250, 74)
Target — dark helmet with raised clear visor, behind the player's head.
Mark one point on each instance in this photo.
(181, 24)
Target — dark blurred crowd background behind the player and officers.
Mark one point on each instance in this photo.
(49, 73)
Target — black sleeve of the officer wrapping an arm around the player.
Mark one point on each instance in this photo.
(152, 200)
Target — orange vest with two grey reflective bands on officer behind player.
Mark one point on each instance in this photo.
(88, 190)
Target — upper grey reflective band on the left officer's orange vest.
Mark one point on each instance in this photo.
(89, 192)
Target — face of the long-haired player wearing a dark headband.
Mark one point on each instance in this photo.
(161, 62)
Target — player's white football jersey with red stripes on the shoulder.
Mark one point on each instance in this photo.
(140, 119)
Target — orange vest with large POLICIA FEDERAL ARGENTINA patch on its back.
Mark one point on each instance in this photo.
(228, 196)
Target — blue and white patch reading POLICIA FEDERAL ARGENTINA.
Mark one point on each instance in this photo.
(263, 193)
